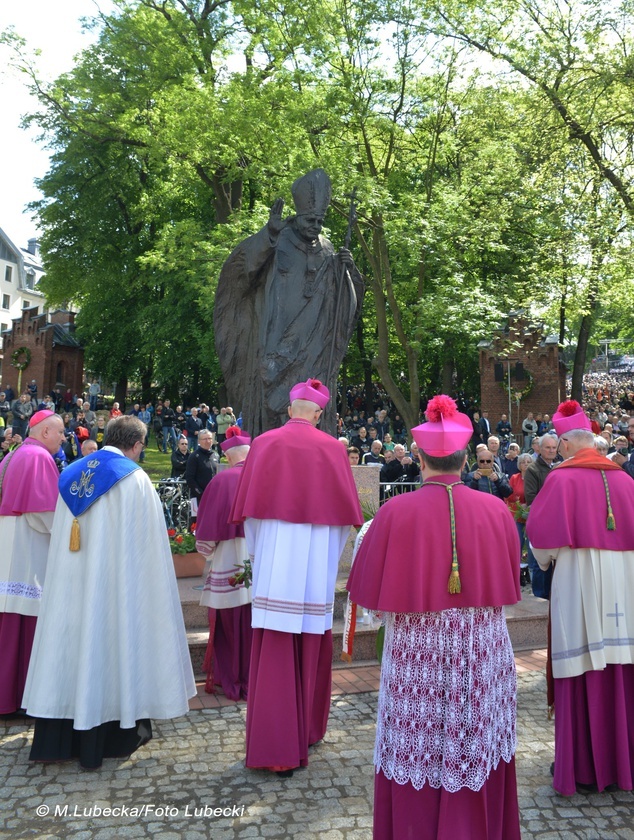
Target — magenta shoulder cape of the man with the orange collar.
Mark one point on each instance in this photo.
(571, 510)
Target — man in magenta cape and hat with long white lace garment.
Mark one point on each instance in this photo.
(445, 741)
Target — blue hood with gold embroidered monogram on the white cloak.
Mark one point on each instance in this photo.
(86, 480)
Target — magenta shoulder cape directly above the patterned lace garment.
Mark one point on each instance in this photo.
(404, 561)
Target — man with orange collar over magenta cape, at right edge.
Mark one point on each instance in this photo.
(582, 521)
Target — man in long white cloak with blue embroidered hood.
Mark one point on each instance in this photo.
(111, 651)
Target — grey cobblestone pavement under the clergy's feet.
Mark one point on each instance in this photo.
(190, 782)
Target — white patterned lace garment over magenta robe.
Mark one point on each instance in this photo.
(447, 702)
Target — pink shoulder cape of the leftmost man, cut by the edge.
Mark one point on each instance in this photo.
(30, 481)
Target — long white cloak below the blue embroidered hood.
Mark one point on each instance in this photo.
(110, 641)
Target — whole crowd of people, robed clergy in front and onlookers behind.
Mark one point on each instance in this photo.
(438, 565)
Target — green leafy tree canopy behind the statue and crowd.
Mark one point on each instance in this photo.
(490, 146)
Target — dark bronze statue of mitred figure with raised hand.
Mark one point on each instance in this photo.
(285, 309)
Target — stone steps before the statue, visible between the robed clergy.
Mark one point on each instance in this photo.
(527, 622)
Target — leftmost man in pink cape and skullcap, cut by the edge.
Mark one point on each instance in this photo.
(28, 479)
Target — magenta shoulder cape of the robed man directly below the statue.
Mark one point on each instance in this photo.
(297, 474)
